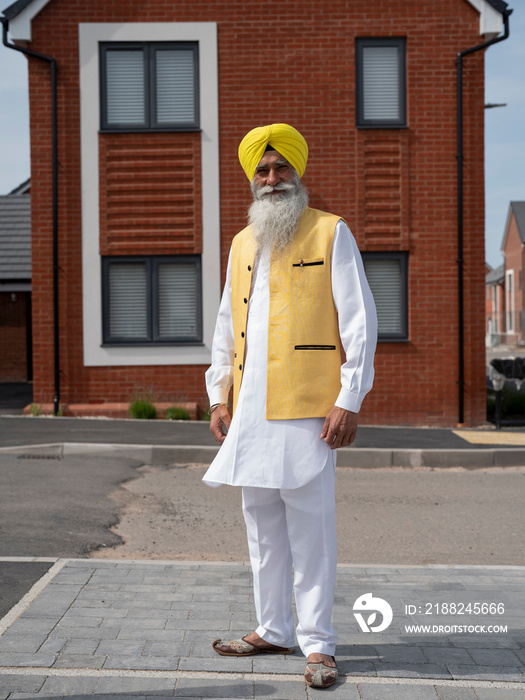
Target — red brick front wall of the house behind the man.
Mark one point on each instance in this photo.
(294, 62)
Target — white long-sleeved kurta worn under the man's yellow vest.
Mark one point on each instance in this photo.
(287, 454)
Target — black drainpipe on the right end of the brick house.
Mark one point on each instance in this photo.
(459, 64)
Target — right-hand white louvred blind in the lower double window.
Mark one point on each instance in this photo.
(177, 299)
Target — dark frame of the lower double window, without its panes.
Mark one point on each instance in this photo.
(151, 263)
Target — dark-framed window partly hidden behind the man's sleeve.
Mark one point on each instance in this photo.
(387, 275)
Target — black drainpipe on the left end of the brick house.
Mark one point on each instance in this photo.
(56, 337)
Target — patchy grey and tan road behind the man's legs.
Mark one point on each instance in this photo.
(72, 507)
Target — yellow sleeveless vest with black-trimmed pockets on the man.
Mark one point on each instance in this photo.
(304, 361)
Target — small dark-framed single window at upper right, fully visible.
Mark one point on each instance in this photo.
(380, 83)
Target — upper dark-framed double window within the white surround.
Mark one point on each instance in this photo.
(149, 87)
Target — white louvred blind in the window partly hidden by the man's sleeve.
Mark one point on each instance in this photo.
(384, 278)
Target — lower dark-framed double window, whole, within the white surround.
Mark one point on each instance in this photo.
(152, 300)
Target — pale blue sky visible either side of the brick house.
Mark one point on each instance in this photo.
(504, 127)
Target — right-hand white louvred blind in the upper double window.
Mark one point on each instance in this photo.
(175, 88)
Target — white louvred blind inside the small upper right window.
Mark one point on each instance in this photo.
(381, 83)
